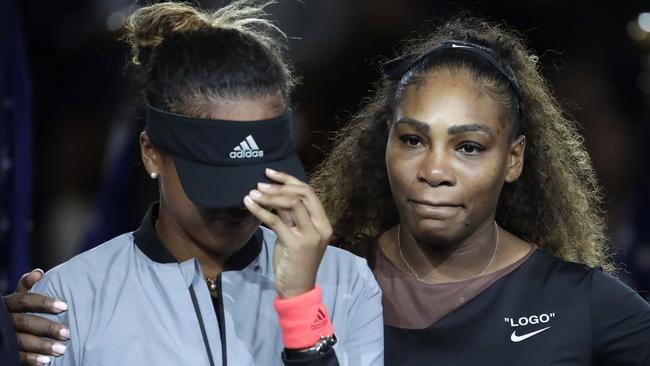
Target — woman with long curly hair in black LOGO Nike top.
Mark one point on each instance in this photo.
(472, 197)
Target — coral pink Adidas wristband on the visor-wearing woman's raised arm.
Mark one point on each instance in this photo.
(303, 319)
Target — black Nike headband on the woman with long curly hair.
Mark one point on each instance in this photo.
(398, 68)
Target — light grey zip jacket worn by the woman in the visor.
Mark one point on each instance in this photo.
(131, 303)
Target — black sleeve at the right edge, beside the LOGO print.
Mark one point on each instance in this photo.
(620, 323)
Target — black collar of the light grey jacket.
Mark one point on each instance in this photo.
(148, 241)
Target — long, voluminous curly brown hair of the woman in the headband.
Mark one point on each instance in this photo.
(556, 203)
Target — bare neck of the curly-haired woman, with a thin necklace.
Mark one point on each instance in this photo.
(438, 262)
